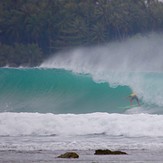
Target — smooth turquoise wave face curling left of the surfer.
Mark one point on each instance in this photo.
(58, 91)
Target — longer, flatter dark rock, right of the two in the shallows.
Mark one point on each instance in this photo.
(108, 152)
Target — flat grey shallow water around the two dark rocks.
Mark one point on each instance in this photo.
(86, 156)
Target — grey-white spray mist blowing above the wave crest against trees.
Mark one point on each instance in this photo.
(139, 53)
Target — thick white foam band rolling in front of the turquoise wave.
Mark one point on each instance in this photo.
(35, 124)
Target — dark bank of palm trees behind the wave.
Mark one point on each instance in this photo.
(31, 30)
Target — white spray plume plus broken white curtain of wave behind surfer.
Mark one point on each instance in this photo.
(136, 62)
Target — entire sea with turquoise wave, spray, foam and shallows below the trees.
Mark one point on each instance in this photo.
(76, 101)
